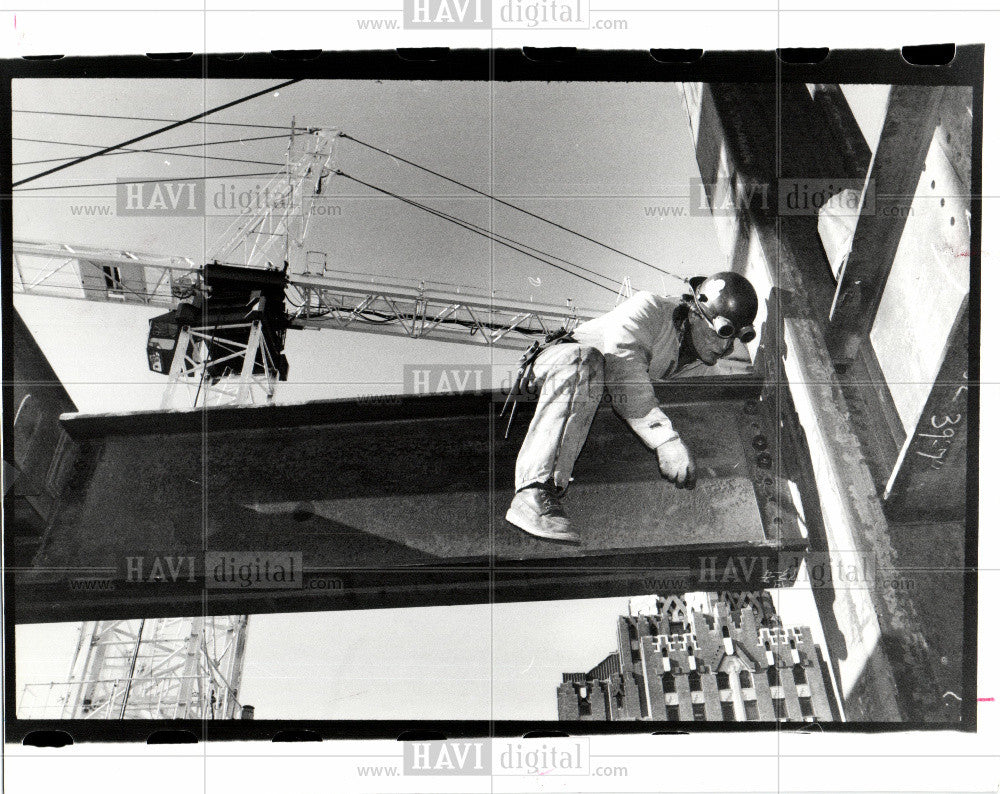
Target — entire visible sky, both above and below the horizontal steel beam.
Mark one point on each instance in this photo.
(590, 156)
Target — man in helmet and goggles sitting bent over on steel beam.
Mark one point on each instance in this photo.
(644, 338)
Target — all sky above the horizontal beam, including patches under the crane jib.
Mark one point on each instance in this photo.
(559, 149)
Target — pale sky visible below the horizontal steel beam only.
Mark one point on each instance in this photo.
(499, 661)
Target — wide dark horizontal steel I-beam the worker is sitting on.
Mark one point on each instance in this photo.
(401, 504)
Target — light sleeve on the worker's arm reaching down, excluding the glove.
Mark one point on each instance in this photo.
(628, 349)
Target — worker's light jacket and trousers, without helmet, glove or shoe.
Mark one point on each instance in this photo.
(622, 351)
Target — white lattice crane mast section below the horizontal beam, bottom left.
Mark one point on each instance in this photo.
(163, 668)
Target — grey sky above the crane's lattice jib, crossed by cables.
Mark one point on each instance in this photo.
(588, 155)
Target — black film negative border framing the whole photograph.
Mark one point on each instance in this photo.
(965, 68)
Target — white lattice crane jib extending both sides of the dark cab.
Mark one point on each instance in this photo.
(319, 297)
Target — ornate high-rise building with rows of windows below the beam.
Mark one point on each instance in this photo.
(702, 657)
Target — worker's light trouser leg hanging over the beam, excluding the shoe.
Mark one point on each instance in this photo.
(569, 381)
